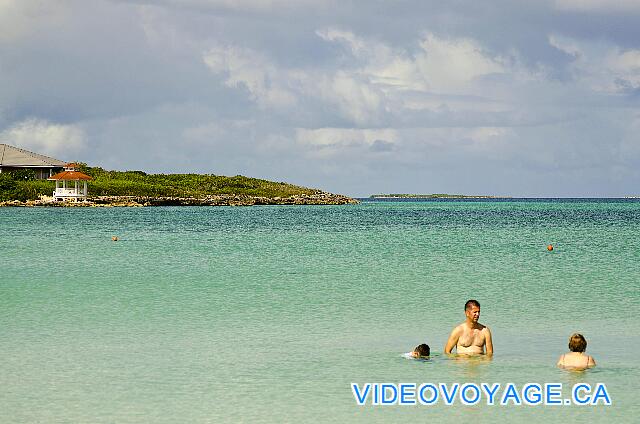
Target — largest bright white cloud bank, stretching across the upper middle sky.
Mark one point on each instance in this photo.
(374, 79)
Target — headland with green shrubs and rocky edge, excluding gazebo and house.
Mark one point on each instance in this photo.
(137, 188)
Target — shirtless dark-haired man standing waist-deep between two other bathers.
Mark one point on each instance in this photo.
(470, 337)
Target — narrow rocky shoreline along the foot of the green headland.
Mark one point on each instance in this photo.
(319, 198)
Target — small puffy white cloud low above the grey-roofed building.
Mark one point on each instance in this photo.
(44, 137)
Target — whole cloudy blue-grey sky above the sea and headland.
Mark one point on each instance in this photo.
(357, 97)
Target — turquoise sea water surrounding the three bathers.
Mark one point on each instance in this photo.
(267, 314)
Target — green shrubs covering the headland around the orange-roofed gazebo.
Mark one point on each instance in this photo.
(22, 185)
